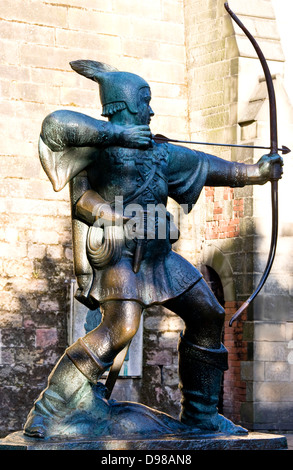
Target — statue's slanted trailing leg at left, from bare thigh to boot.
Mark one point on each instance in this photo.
(83, 363)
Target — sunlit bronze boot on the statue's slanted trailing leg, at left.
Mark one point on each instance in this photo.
(67, 384)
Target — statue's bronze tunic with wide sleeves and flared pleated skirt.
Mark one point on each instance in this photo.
(141, 179)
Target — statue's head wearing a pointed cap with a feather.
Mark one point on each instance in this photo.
(118, 90)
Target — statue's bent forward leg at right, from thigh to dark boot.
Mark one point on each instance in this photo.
(202, 359)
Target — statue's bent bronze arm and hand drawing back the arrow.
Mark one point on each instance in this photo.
(62, 129)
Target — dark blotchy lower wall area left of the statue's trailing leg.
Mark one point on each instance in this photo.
(33, 337)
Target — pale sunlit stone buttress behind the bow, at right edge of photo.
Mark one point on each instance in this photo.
(268, 371)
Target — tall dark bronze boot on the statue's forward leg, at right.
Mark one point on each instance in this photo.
(200, 375)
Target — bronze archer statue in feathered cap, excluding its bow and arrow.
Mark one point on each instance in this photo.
(116, 170)
